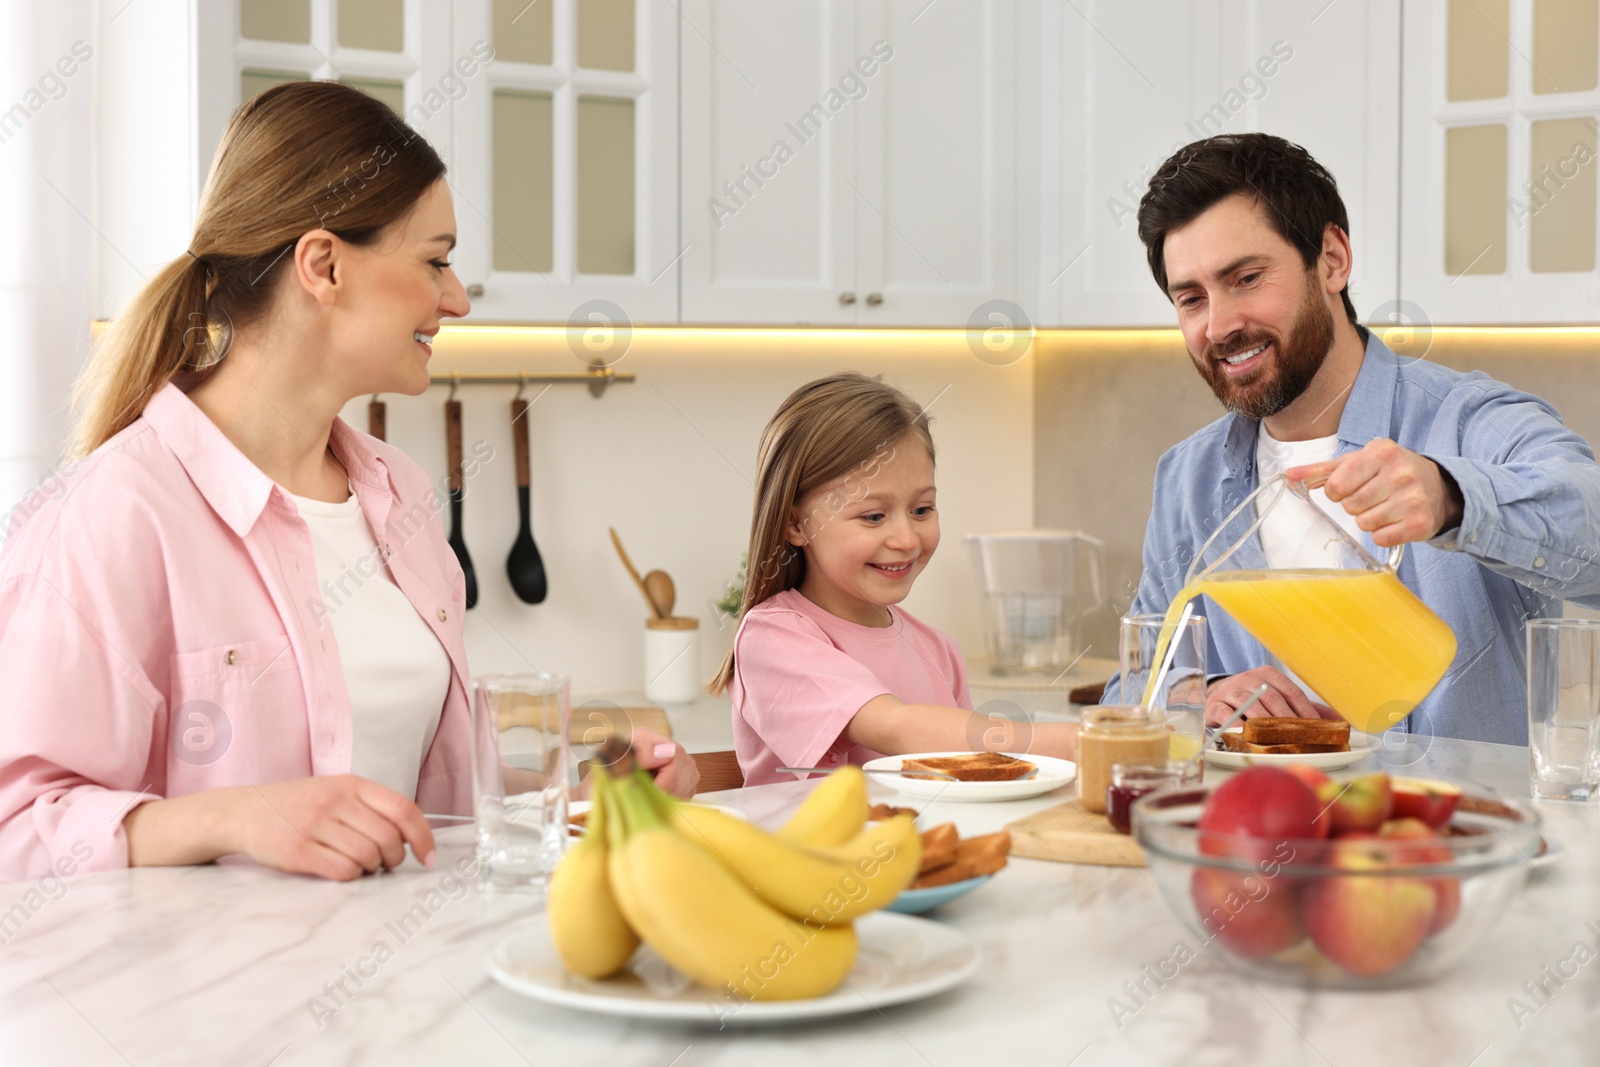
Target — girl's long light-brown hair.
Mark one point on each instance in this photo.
(846, 426)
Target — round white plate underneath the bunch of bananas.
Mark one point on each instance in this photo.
(902, 959)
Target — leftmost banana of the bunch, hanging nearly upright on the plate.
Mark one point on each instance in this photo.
(586, 924)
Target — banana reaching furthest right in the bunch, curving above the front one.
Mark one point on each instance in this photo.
(831, 885)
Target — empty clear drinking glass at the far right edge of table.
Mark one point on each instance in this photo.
(1564, 708)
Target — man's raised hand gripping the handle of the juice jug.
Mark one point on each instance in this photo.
(1394, 494)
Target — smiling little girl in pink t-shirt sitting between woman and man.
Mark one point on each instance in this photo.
(825, 669)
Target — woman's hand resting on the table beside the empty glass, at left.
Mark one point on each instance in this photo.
(334, 828)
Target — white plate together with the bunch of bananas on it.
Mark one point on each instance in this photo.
(674, 911)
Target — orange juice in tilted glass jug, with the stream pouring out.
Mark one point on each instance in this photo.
(1361, 639)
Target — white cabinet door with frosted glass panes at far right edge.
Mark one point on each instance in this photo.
(1500, 159)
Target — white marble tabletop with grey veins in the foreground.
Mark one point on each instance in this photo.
(225, 965)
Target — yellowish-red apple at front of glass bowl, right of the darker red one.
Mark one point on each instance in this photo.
(1367, 921)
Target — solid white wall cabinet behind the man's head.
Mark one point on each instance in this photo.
(1127, 82)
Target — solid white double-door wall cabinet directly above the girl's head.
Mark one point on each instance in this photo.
(847, 164)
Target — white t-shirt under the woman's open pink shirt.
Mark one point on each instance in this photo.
(396, 671)
